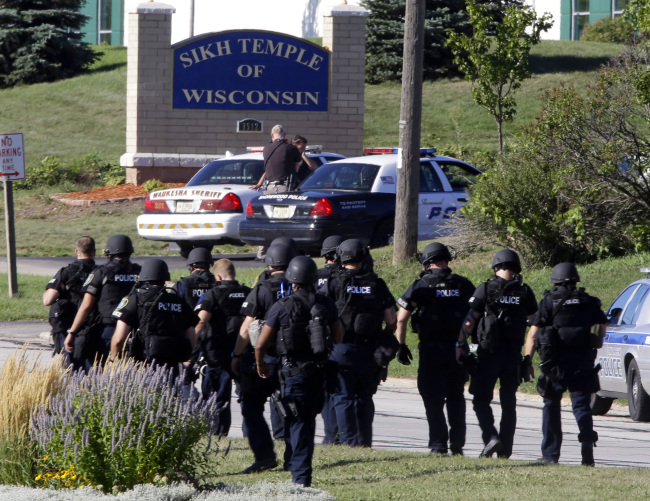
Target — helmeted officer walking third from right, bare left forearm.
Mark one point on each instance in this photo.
(439, 299)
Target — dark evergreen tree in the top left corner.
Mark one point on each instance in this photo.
(40, 41)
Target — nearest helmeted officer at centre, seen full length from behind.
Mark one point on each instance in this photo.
(300, 325)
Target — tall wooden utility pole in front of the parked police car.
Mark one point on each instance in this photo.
(408, 176)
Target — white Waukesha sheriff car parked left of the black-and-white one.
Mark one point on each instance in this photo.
(208, 209)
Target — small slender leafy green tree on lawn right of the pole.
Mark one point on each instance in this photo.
(495, 56)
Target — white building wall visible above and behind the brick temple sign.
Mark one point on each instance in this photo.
(300, 18)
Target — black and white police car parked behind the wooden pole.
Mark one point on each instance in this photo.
(355, 198)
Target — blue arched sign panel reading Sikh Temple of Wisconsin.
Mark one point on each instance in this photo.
(251, 70)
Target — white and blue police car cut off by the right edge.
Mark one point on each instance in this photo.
(625, 355)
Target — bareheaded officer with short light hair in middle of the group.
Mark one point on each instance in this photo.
(217, 330)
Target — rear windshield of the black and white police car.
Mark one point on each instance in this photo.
(342, 176)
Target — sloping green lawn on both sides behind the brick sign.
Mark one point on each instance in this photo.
(87, 114)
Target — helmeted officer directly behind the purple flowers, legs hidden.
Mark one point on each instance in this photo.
(161, 321)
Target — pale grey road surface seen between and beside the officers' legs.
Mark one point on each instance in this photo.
(400, 423)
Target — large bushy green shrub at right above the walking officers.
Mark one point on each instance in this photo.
(576, 185)
